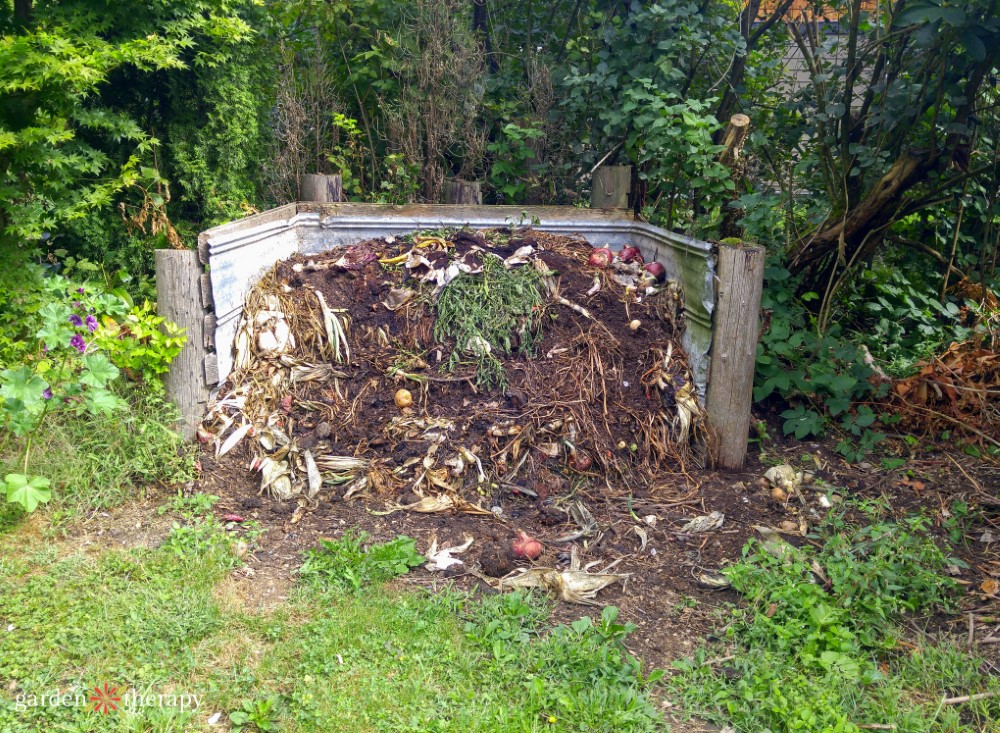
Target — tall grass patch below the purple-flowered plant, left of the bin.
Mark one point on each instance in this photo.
(97, 462)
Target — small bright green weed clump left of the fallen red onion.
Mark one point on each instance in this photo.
(347, 564)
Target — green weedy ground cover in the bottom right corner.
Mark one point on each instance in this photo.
(819, 646)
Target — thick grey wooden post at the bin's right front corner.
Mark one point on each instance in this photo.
(734, 345)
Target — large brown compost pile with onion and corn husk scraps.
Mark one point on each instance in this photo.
(442, 369)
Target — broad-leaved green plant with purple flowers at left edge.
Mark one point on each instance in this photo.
(63, 346)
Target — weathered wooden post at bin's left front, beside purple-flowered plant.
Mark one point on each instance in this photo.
(178, 299)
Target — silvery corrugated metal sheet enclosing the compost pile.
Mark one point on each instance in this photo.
(239, 253)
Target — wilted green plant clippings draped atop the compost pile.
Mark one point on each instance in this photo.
(497, 311)
